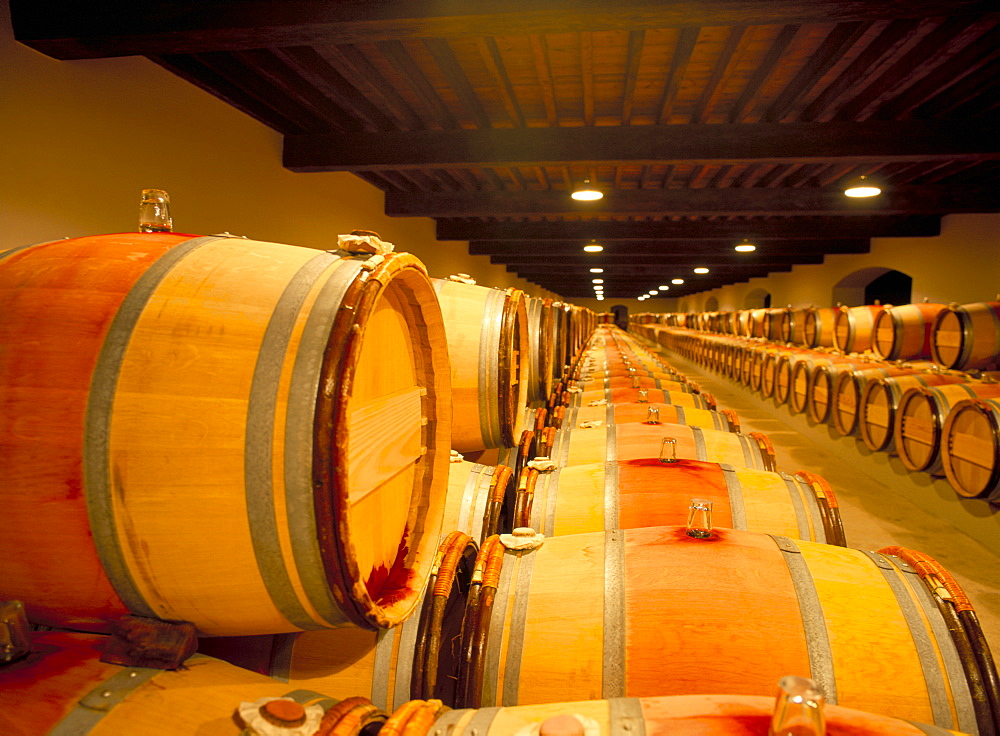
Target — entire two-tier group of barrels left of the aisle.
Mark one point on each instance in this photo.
(266, 465)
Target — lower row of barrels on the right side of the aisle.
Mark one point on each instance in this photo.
(937, 421)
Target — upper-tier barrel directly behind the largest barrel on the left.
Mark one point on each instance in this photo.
(487, 332)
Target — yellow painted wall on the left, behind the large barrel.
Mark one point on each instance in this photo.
(81, 139)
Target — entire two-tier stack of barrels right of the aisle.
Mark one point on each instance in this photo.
(918, 380)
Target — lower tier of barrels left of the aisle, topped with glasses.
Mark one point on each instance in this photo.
(620, 614)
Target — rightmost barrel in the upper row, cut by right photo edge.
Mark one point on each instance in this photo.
(967, 336)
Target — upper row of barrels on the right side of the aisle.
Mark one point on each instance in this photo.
(954, 336)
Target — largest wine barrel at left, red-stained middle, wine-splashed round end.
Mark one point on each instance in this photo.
(251, 449)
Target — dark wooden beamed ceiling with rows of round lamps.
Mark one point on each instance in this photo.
(703, 123)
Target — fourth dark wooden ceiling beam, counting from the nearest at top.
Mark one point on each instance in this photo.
(607, 231)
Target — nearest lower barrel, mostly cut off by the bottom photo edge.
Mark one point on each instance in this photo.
(704, 715)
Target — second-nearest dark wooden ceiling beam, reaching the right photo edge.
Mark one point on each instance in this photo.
(802, 143)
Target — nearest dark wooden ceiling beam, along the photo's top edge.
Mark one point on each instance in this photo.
(96, 28)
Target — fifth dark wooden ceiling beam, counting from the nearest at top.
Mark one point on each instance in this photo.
(671, 249)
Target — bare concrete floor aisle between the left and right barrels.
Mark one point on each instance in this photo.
(877, 508)
